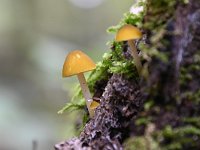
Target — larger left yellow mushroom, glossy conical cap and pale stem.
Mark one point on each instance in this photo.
(76, 63)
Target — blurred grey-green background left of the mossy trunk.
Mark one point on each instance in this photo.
(35, 37)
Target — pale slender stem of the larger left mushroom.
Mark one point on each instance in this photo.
(86, 92)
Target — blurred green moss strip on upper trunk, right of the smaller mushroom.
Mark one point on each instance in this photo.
(158, 17)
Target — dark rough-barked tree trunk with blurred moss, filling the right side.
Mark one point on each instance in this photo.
(164, 111)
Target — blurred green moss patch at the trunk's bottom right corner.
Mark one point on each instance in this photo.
(176, 139)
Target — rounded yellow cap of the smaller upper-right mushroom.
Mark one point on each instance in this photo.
(128, 32)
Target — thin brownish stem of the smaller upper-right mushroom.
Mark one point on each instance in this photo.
(135, 56)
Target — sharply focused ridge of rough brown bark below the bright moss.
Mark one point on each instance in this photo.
(120, 103)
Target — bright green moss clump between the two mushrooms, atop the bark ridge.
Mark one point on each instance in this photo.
(113, 62)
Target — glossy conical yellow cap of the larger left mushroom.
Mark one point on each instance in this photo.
(77, 62)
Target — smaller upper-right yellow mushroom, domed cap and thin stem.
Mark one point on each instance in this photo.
(130, 33)
